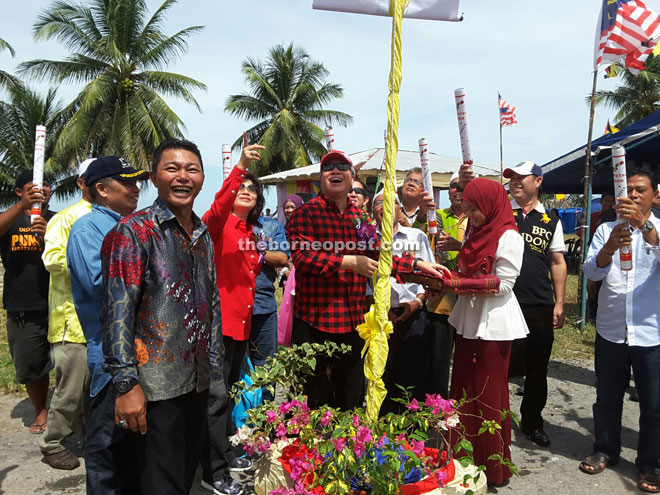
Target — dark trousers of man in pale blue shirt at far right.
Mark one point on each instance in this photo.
(613, 363)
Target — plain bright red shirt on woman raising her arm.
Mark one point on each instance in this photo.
(237, 268)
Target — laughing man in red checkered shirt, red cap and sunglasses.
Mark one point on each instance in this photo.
(334, 254)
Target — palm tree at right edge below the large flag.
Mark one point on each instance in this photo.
(637, 96)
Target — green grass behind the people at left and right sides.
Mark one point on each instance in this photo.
(570, 342)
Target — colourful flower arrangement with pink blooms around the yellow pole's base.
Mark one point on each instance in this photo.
(328, 451)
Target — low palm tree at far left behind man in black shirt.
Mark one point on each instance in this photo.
(19, 115)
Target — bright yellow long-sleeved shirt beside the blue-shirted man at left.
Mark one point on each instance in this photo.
(63, 324)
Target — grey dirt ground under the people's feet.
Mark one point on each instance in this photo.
(552, 470)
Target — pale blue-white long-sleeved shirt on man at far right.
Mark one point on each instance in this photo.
(627, 300)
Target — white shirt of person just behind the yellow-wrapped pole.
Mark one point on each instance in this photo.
(407, 241)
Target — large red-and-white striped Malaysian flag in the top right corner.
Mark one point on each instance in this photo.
(627, 29)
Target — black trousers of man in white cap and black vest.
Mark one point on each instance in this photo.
(538, 347)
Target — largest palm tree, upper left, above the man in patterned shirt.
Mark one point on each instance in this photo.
(119, 53)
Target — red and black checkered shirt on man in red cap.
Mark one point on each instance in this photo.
(330, 299)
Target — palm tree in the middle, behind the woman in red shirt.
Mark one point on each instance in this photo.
(287, 94)
